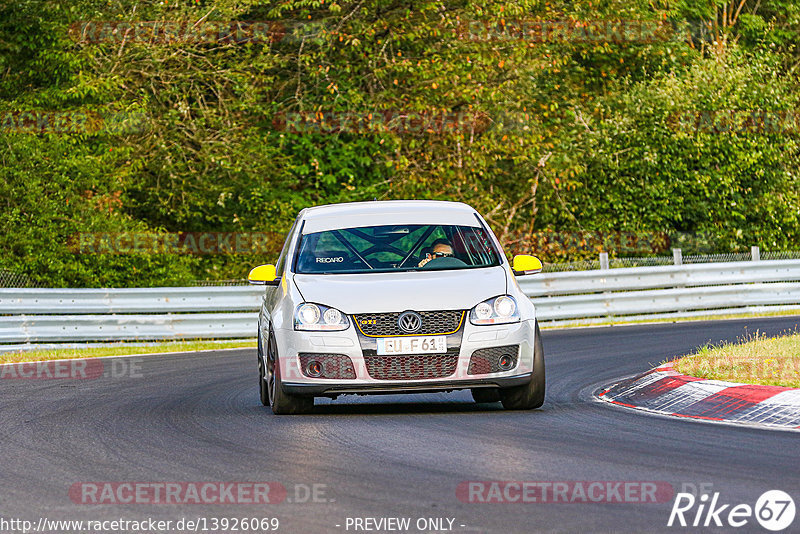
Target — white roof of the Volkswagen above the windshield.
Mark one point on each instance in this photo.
(387, 212)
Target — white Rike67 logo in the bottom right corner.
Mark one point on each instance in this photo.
(774, 510)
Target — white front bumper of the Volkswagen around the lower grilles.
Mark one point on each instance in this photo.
(353, 345)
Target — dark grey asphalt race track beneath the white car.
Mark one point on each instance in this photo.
(198, 418)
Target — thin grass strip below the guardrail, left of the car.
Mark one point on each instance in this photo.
(120, 349)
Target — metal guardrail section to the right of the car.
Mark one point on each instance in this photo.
(616, 295)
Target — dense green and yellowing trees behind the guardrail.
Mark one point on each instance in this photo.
(565, 134)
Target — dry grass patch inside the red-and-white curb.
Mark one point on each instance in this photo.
(755, 359)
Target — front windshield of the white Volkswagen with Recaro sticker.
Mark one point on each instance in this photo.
(395, 248)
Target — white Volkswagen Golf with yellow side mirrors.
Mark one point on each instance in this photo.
(400, 296)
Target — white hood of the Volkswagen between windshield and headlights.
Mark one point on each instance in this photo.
(394, 292)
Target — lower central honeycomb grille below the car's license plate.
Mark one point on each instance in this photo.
(412, 366)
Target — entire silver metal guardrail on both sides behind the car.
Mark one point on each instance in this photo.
(62, 315)
